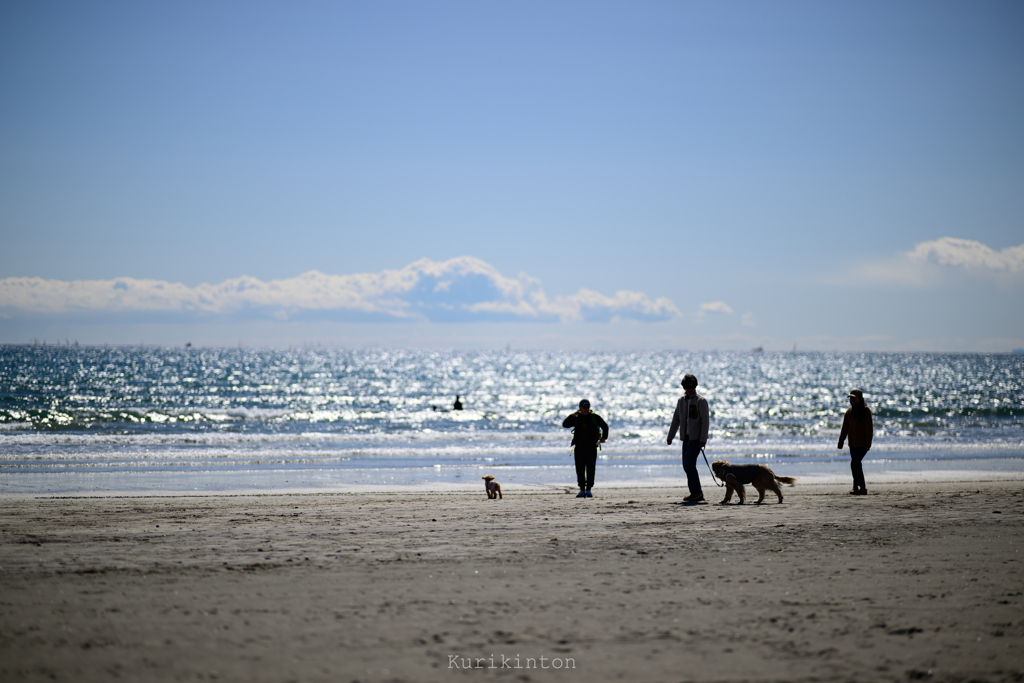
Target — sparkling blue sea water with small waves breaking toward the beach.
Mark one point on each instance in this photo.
(88, 420)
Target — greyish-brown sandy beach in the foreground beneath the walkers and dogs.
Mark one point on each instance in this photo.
(912, 583)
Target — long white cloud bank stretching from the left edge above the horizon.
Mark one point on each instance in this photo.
(463, 289)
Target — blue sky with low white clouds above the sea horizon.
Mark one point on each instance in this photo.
(594, 176)
